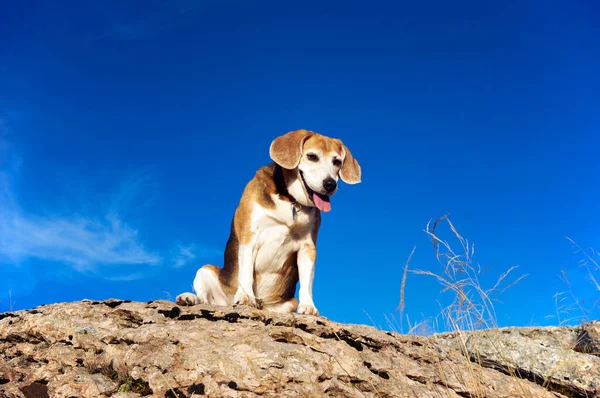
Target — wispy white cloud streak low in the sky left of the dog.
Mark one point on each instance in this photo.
(104, 243)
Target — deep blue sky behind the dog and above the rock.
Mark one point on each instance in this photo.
(128, 131)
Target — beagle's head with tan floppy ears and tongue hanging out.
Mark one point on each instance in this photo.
(319, 160)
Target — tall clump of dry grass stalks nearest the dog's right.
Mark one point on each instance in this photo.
(470, 305)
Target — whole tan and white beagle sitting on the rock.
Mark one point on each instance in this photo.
(272, 243)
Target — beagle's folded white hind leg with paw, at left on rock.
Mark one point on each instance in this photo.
(207, 289)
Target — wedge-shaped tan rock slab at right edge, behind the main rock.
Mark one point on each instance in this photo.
(565, 359)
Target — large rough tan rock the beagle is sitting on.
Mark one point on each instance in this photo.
(130, 349)
